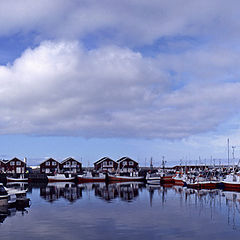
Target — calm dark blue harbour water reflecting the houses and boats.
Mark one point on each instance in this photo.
(118, 211)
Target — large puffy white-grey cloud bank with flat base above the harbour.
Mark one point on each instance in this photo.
(59, 88)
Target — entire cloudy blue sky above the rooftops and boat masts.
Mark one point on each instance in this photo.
(137, 78)
